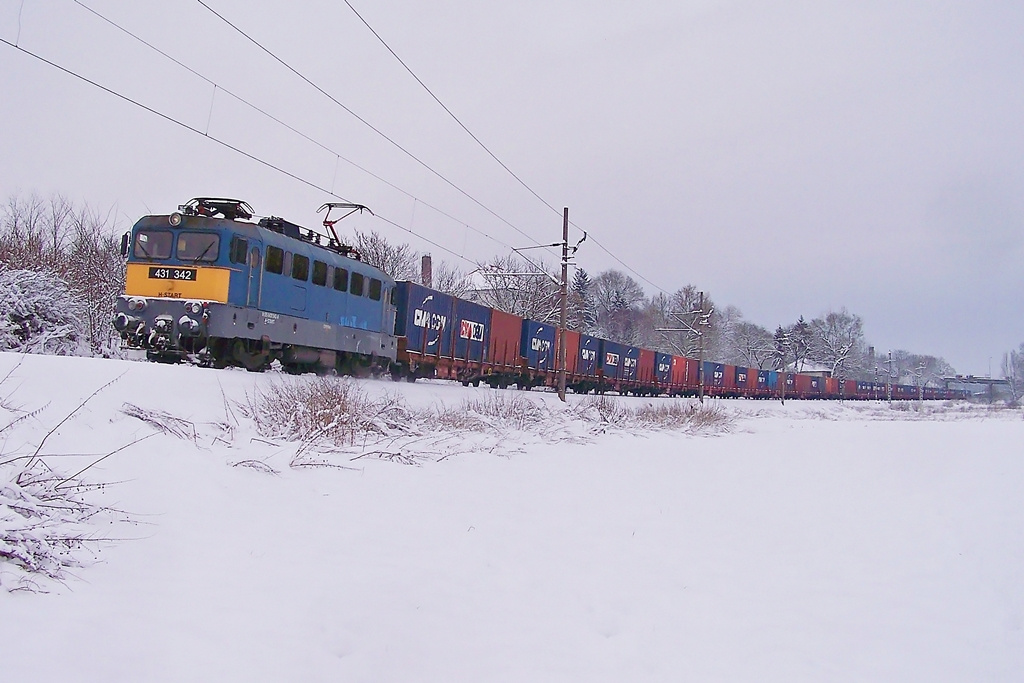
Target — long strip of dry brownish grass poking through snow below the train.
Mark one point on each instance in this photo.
(330, 416)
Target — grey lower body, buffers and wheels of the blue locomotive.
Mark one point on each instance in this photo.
(220, 336)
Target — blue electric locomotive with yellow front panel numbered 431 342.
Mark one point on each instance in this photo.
(209, 283)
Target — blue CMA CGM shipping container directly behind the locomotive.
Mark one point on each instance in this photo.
(424, 319)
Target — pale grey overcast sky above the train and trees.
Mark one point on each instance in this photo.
(786, 157)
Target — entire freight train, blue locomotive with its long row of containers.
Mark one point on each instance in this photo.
(211, 284)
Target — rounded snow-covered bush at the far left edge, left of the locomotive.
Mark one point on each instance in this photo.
(39, 314)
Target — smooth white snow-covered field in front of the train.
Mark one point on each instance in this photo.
(805, 542)
